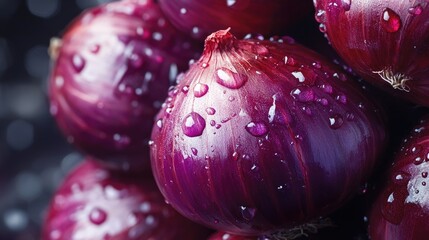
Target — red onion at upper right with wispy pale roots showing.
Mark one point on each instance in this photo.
(384, 41)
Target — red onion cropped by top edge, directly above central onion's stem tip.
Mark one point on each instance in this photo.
(268, 17)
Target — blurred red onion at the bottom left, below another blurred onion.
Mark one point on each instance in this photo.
(93, 204)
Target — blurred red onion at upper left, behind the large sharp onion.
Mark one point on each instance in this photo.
(113, 70)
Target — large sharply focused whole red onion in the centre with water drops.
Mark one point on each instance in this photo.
(260, 150)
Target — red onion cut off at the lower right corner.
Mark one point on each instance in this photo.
(402, 207)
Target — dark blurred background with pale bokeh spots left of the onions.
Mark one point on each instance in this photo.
(34, 156)
